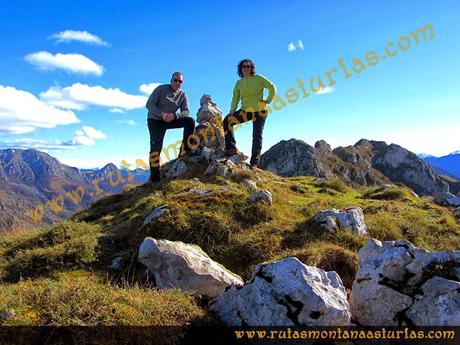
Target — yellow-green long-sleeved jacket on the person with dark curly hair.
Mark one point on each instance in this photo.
(250, 90)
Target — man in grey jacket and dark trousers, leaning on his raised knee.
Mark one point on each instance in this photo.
(162, 107)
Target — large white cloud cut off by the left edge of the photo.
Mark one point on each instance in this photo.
(21, 112)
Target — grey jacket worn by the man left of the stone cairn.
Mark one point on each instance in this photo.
(164, 99)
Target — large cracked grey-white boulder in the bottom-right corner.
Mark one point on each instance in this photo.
(399, 284)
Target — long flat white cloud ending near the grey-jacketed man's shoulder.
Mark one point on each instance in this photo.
(81, 96)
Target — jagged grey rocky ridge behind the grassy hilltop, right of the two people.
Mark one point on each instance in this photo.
(365, 163)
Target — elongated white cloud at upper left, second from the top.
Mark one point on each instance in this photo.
(74, 63)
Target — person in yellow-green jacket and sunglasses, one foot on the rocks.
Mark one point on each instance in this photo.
(249, 89)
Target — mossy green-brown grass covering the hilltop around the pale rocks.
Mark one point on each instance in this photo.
(40, 270)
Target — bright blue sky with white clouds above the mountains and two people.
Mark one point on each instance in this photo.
(74, 77)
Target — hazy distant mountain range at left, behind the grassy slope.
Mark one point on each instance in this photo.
(36, 189)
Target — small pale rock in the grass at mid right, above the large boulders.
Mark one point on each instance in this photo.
(351, 219)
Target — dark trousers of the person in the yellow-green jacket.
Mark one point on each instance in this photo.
(258, 122)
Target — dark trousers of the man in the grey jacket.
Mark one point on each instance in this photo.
(157, 131)
